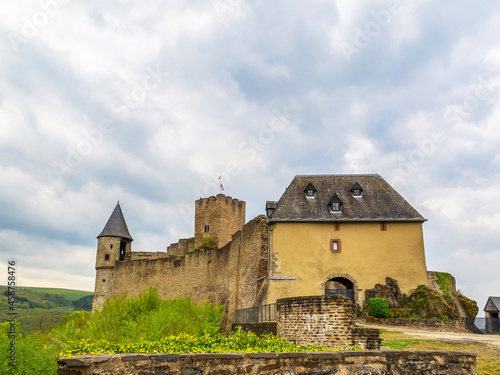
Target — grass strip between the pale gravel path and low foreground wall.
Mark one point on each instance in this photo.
(487, 360)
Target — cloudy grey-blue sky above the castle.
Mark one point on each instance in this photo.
(147, 102)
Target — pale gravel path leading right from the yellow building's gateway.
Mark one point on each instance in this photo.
(491, 340)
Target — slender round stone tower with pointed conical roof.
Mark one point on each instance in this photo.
(114, 244)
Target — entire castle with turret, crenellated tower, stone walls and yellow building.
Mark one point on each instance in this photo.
(327, 234)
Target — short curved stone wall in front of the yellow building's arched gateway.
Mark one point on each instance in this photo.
(316, 320)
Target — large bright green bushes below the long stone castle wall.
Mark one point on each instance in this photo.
(146, 317)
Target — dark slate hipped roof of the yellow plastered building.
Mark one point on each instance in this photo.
(379, 202)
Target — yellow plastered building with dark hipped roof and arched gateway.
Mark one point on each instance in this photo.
(341, 234)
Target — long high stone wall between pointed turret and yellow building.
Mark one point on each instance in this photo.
(227, 275)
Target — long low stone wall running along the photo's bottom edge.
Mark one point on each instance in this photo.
(303, 363)
